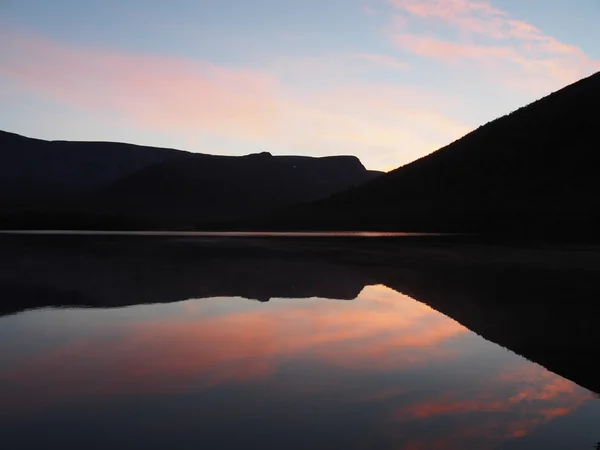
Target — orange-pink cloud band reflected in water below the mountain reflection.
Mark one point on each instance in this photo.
(384, 331)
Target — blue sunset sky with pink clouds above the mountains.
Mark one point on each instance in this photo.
(386, 80)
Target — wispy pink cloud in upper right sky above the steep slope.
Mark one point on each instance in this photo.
(477, 32)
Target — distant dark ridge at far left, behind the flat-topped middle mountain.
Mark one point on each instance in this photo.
(34, 171)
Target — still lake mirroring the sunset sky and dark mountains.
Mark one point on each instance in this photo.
(108, 344)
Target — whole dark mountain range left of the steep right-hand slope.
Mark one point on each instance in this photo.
(104, 185)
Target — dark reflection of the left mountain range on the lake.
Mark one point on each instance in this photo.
(121, 271)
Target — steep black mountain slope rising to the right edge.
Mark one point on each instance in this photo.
(535, 169)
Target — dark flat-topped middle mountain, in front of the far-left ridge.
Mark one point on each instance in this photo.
(208, 189)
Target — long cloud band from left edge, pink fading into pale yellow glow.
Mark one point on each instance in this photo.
(178, 95)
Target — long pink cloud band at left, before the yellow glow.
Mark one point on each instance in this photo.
(162, 92)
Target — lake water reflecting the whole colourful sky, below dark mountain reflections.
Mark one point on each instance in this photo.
(382, 371)
